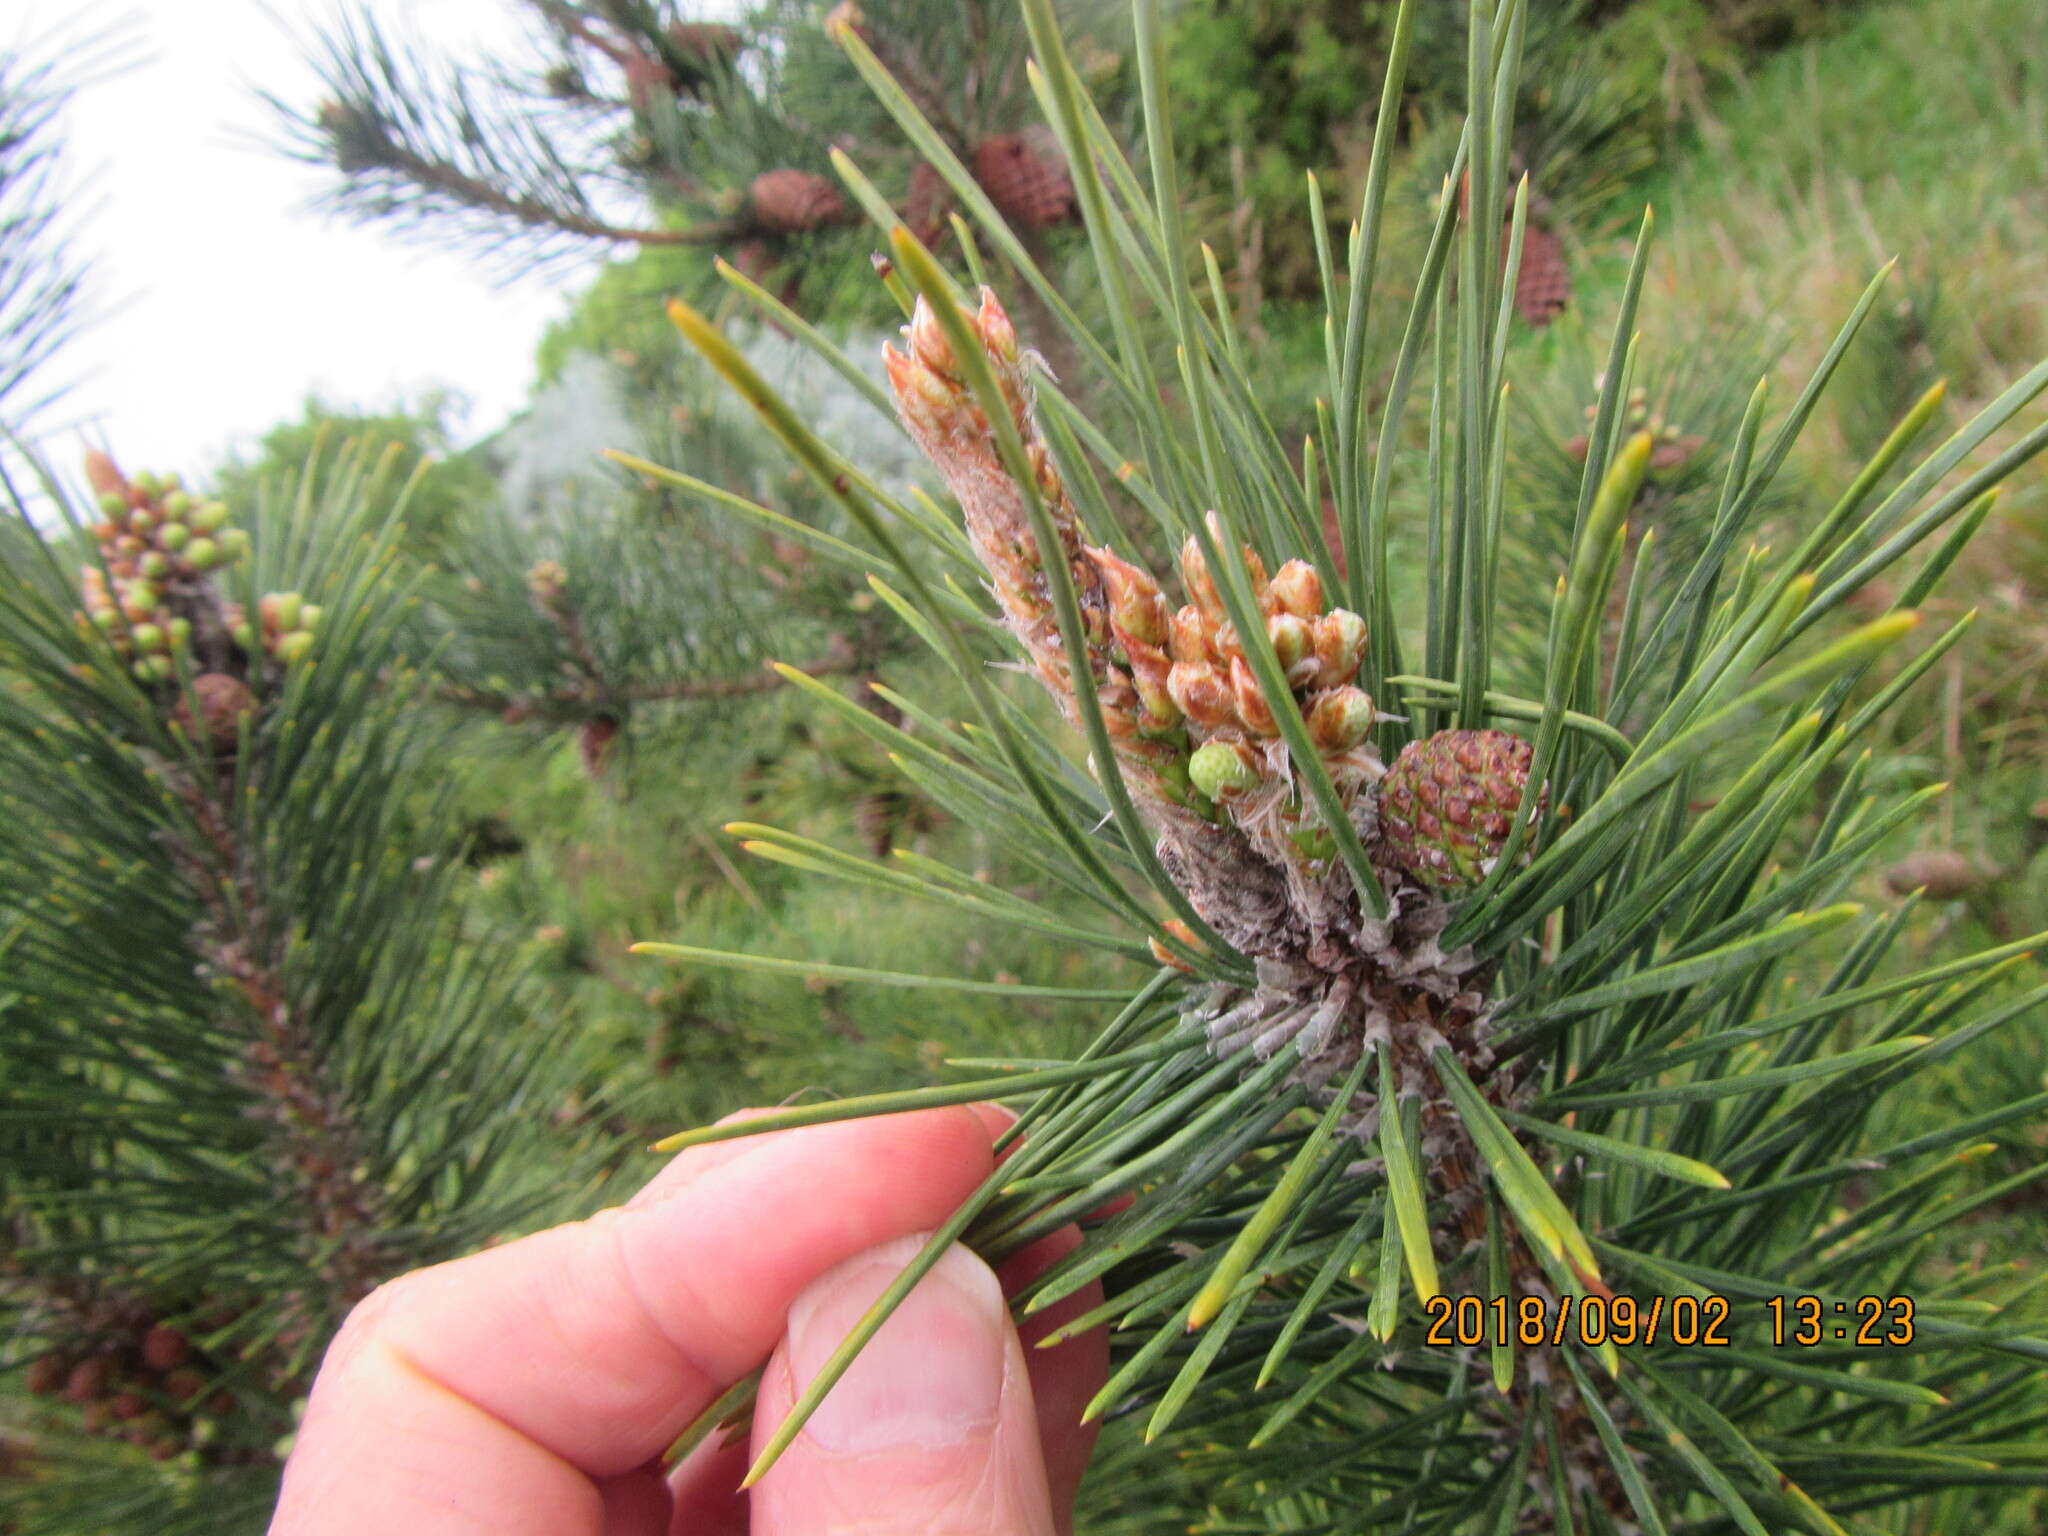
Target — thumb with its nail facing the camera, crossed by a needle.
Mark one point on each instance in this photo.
(933, 1426)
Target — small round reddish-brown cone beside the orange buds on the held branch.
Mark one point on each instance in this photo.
(1449, 802)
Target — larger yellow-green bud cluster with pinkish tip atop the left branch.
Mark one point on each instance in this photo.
(157, 546)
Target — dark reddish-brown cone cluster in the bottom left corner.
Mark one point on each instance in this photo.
(138, 1381)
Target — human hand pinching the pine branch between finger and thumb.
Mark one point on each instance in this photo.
(534, 1388)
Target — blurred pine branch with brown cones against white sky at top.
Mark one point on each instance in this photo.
(644, 130)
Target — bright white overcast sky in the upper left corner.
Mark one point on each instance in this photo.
(230, 302)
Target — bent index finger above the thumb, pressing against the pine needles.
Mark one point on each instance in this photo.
(493, 1390)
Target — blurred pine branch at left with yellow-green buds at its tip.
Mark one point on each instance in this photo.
(255, 1066)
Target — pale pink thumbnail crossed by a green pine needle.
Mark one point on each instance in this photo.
(931, 1377)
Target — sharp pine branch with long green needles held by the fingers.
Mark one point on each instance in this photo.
(1512, 1039)
